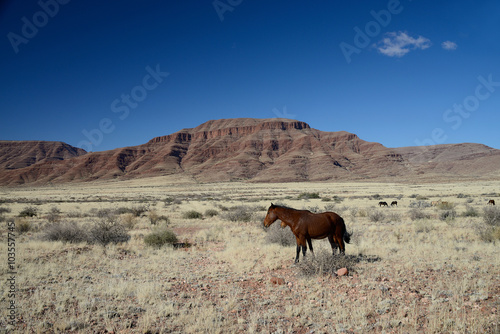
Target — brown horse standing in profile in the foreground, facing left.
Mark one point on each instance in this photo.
(306, 225)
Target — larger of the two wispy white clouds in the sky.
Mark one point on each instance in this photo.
(397, 44)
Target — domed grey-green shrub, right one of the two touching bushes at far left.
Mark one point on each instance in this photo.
(107, 231)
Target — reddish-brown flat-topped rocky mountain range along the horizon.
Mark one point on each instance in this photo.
(257, 150)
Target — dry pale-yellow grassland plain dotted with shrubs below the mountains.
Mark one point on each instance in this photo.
(412, 267)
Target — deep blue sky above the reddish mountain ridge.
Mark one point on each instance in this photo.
(102, 75)
